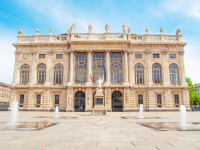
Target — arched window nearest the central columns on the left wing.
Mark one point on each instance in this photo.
(58, 74)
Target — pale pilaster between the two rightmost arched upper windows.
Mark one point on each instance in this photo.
(165, 78)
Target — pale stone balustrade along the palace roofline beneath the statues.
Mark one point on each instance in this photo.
(98, 36)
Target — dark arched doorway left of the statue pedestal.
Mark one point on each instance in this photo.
(79, 102)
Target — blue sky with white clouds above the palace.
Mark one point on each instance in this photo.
(136, 14)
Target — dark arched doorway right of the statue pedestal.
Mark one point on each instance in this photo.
(117, 101)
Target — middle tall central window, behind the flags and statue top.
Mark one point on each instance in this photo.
(98, 67)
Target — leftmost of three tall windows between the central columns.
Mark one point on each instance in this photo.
(81, 68)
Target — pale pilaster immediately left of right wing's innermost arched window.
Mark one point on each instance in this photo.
(131, 70)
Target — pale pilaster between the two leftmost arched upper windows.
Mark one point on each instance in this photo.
(33, 69)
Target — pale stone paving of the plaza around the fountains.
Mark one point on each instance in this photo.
(110, 132)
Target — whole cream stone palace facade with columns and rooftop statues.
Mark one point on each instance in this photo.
(62, 70)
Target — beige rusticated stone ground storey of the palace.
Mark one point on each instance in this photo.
(126, 98)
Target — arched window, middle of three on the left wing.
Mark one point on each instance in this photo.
(41, 73)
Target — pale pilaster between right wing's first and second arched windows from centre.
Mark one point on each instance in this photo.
(149, 68)
